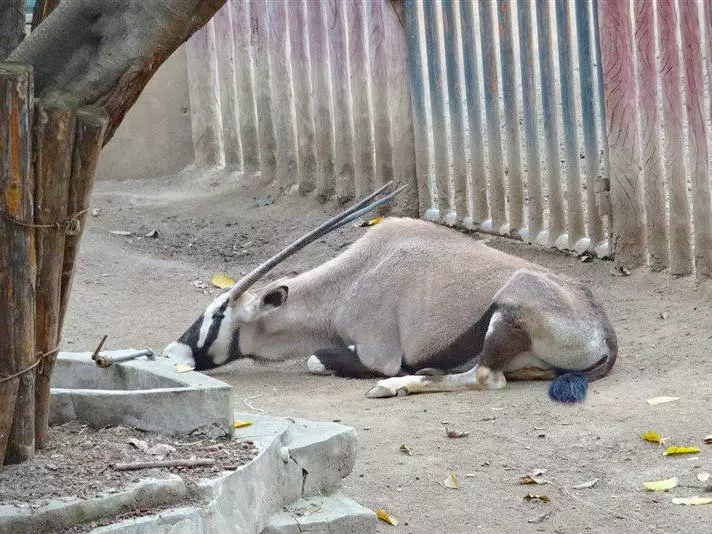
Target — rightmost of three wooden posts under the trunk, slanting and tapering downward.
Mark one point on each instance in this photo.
(88, 140)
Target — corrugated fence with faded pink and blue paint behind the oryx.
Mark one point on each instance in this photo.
(501, 114)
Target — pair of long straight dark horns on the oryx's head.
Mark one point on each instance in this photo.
(354, 212)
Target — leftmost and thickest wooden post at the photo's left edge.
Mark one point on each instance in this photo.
(18, 265)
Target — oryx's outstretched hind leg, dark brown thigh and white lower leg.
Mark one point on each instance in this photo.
(506, 338)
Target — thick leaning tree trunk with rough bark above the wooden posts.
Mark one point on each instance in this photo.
(105, 51)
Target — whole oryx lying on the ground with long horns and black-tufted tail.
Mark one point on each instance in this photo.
(412, 301)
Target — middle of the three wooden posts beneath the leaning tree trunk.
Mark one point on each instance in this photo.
(54, 136)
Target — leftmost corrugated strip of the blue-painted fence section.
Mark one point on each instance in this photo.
(417, 96)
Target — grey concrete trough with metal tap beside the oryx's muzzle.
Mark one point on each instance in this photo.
(150, 395)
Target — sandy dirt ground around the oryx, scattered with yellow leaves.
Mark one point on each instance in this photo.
(139, 292)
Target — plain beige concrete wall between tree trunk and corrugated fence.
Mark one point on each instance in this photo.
(155, 137)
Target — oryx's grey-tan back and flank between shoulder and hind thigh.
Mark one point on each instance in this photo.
(423, 284)
